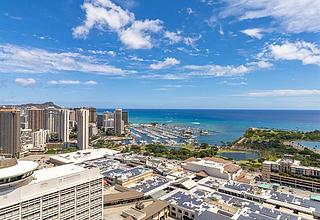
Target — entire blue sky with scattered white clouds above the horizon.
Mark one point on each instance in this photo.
(161, 54)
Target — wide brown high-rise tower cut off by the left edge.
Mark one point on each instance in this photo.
(10, 132)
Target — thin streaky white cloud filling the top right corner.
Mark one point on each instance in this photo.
(293, 16)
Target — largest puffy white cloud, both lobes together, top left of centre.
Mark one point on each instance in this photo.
(104, 14)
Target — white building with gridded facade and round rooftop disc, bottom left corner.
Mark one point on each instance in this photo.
(63, 192)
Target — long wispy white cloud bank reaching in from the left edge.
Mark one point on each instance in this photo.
(16, 59)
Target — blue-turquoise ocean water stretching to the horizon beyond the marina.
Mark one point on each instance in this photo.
(227, 125)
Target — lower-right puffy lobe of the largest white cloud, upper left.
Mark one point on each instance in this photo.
(137, 36)
